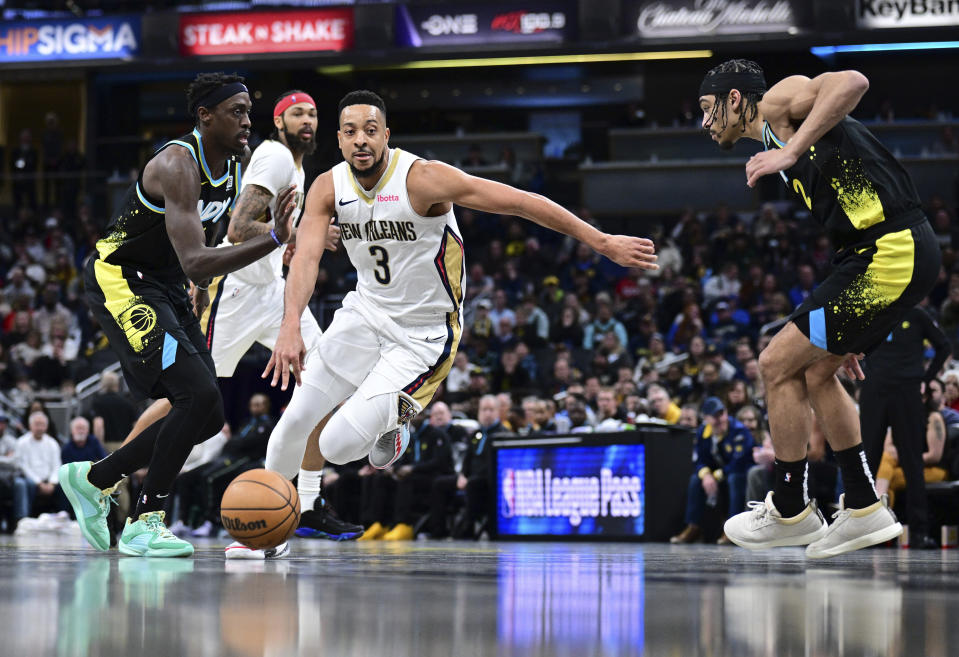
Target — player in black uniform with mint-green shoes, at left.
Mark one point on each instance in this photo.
(136, 286)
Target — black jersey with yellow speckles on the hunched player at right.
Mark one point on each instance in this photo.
(851, 184)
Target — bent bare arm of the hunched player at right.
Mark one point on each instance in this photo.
(819, 103)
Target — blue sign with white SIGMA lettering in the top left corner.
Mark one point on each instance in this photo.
(56, 40)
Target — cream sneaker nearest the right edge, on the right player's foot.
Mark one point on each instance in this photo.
(853, 529)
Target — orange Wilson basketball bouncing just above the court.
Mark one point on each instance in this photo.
(260, 509)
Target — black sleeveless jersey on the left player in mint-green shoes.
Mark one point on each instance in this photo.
(137, 236)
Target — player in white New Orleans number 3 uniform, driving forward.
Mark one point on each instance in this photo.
(393, 341)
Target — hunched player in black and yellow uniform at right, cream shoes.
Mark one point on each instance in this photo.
(887, 260)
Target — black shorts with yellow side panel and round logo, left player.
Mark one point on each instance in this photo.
(149, 323)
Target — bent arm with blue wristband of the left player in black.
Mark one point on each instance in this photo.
(176, 179)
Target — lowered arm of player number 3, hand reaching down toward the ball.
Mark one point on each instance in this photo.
(289, 351)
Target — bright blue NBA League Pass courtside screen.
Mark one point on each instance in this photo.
(571, 491)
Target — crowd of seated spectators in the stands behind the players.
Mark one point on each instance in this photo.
(563, 339)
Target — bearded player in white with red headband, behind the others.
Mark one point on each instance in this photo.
(247, 305)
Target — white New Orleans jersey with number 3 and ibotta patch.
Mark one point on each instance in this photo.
(409, 266)
